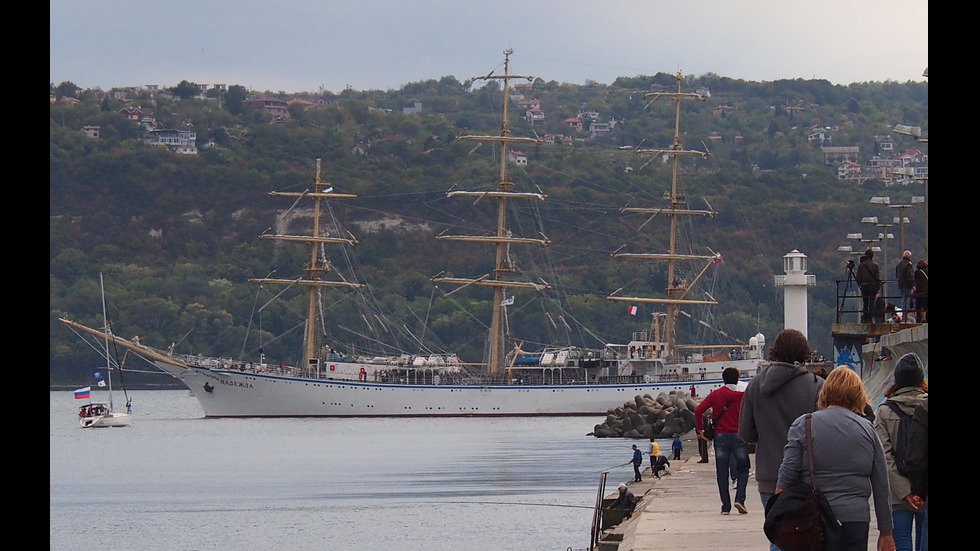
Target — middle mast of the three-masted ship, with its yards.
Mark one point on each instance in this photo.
(503, 237)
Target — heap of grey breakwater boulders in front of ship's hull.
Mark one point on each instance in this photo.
(648, 417)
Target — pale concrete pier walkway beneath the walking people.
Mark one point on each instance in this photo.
(682, 511)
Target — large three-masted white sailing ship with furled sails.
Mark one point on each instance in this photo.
(509, 381)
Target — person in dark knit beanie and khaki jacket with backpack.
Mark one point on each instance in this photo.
(901, 399)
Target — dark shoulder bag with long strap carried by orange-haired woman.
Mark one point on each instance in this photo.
(799, 518)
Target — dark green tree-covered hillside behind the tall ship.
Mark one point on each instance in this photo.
(177, 236)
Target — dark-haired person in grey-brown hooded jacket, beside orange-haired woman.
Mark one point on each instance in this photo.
(774, 398)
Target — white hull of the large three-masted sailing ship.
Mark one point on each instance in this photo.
(236, 393)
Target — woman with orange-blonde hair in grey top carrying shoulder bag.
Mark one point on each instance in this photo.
(847, 480)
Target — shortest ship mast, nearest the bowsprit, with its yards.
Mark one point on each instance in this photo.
(318, 266)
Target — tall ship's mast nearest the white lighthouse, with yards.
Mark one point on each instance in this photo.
(677, 289)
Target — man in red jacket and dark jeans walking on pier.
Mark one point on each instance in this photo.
(725, 404)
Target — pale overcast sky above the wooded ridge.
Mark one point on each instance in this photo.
(309, 45)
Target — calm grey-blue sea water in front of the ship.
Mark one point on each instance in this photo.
(174, 481)
